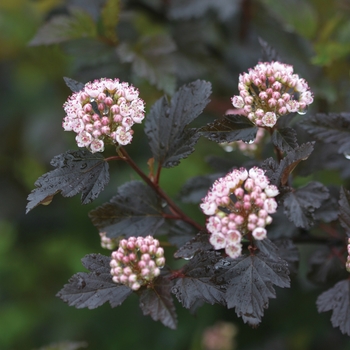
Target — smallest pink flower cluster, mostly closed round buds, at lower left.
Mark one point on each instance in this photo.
(137, 261)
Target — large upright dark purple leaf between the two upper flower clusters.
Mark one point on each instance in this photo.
(165, 125)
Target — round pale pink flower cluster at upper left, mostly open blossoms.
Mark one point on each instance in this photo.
(104, 110)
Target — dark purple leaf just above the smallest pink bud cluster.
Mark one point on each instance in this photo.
(135, 211)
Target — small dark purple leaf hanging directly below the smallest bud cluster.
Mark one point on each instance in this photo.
(157, 302)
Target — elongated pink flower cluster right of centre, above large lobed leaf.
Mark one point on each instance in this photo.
(238, 204)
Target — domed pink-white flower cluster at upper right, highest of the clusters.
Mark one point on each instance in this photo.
(271, 90)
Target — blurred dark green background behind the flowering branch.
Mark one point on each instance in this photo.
(157, 45)
